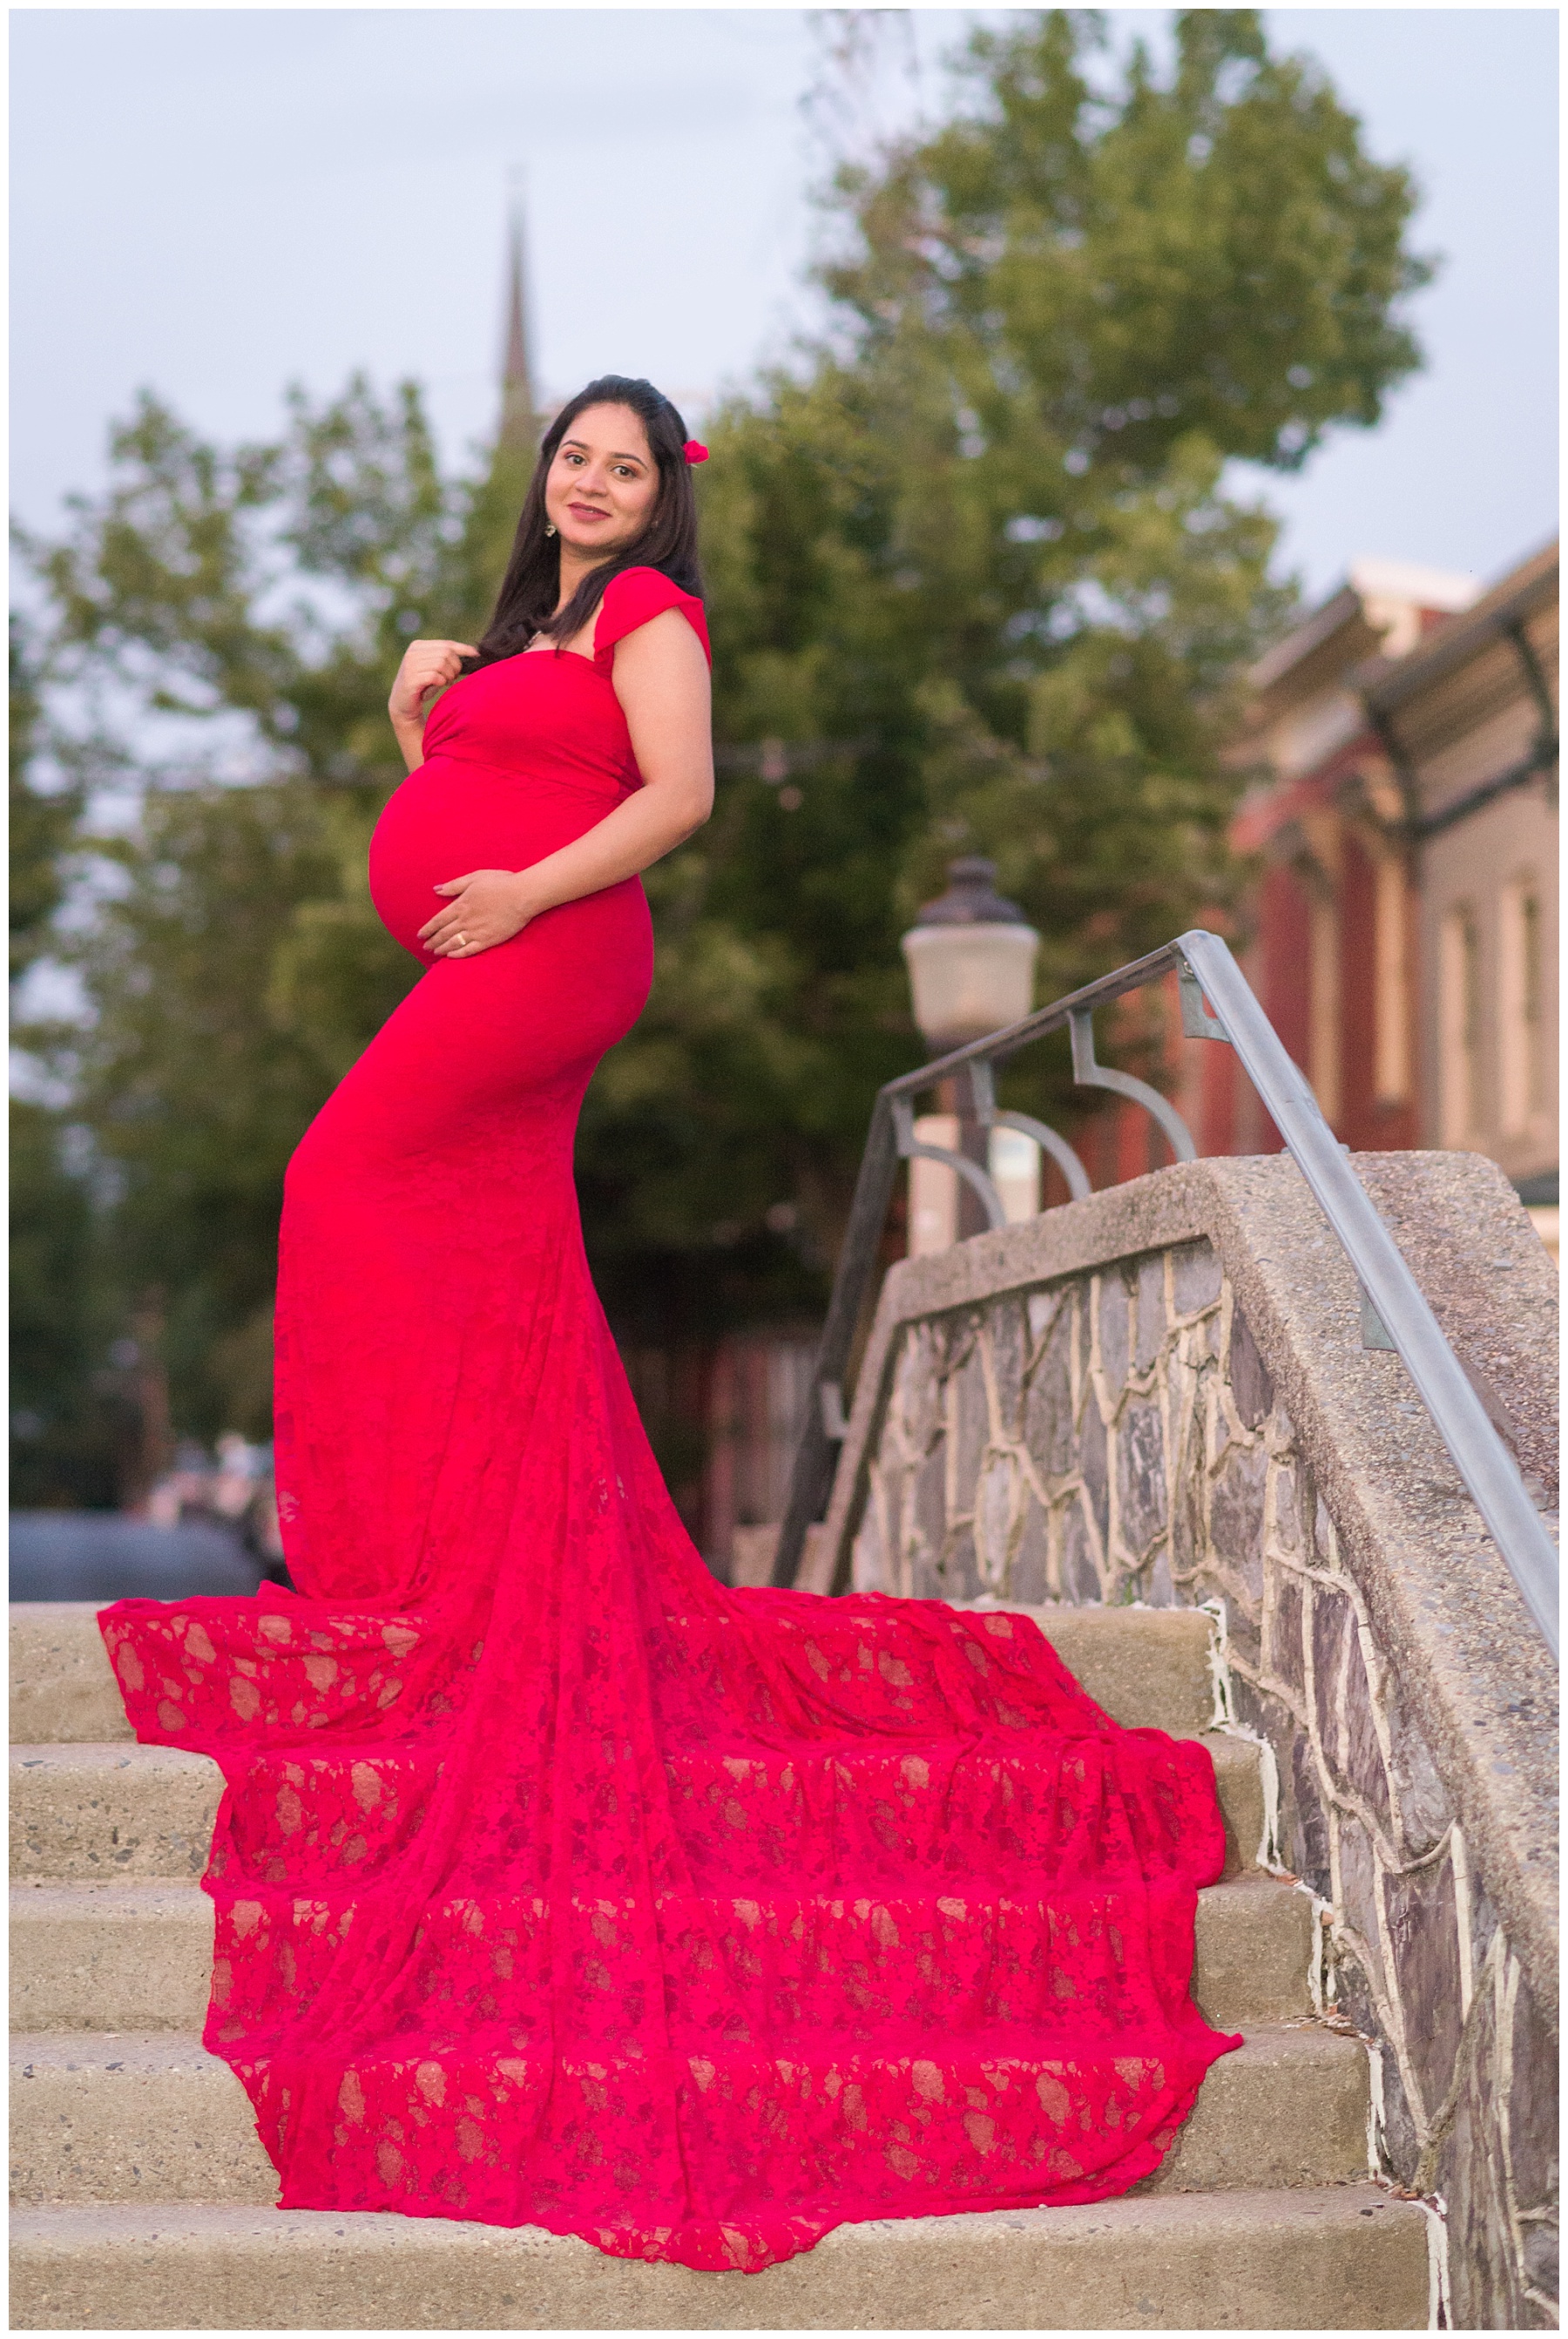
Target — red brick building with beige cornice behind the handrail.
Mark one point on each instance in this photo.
(1405, 916)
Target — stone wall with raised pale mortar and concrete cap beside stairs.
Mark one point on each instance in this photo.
(1160, 1395)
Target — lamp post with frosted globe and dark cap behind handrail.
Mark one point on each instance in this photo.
(972, 972)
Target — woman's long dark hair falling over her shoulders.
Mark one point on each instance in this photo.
(525, 605)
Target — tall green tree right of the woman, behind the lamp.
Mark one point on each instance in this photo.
(986, 537)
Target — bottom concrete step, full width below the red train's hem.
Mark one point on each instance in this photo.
(1349, 2258)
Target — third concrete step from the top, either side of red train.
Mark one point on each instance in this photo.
(139, 1957)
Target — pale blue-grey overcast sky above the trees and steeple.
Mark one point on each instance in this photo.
(219, 202)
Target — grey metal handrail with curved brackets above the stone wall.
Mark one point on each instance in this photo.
(1216, 1005)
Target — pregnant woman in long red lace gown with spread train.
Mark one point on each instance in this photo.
(558, 1884)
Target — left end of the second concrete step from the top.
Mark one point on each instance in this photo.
(97, 1812)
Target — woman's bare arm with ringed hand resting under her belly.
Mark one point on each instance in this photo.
(663, 686)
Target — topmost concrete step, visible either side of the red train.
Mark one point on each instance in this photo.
(1143, 1667)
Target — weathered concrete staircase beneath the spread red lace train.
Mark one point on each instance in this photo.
(144, 2200)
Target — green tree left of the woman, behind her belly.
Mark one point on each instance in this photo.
(247, 609)
